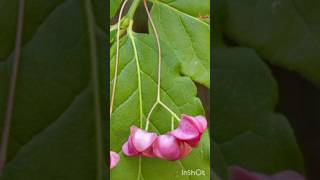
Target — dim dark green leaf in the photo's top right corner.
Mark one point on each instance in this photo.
(284, 32)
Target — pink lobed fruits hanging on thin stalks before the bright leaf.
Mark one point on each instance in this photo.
(172, 146)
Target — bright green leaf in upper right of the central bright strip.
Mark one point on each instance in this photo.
(180, 24)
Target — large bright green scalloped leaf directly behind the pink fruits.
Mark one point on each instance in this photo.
(177, 91)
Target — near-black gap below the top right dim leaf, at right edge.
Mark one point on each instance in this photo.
(300, 102)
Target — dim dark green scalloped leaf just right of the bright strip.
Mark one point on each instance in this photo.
(247, 131)
